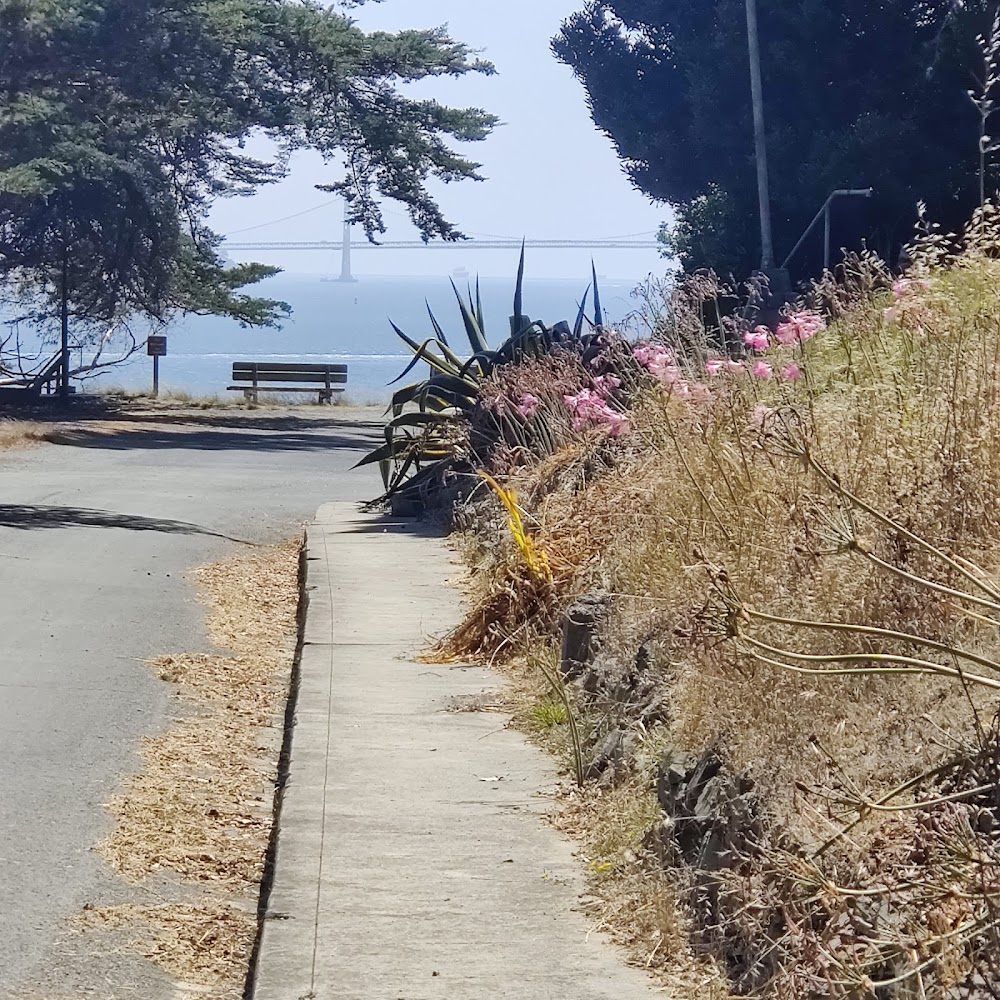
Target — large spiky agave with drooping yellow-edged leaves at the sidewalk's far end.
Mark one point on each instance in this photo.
(437, 434)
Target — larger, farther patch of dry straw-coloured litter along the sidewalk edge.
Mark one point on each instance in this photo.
(201, 805)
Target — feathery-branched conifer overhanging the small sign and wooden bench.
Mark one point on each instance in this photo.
(121, 121)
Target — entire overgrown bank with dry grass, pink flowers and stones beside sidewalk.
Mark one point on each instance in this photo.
(787, 728)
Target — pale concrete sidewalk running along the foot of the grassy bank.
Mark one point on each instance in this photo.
(413, 862)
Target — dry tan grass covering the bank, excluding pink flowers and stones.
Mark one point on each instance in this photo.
(864, 496)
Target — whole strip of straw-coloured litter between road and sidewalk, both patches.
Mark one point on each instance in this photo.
(200, 808)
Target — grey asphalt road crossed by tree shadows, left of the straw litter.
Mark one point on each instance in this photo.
(96, 540)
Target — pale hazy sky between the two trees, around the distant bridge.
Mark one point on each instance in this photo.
(549, 172)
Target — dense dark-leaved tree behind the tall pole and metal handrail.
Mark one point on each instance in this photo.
(858, 94)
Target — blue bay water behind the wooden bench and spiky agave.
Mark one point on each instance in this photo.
(348, 324)
